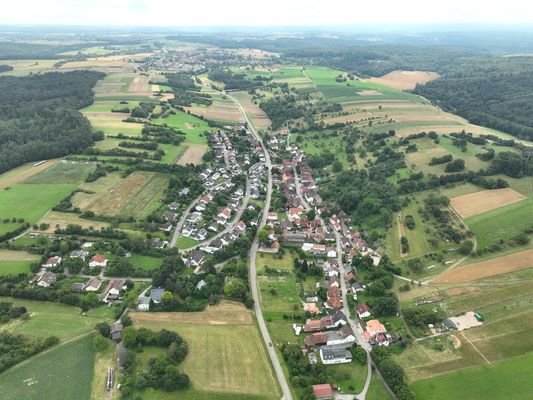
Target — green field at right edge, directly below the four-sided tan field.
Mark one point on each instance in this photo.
(502, 223)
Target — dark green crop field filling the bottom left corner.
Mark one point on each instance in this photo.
(65, 373)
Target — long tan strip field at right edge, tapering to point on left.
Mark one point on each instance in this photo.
(484, 269)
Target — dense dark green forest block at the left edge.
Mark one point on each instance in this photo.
(39, 117)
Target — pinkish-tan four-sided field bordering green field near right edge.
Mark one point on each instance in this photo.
(472, 204)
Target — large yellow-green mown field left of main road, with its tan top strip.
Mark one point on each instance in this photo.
(224, 356)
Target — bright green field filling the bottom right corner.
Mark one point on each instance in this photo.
(509, 380)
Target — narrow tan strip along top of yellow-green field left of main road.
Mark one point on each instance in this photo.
(225, 313)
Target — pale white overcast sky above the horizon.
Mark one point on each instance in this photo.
(263, 13)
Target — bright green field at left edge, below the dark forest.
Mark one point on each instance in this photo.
(31, 201)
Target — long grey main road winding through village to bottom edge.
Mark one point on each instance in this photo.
(287, 395)
